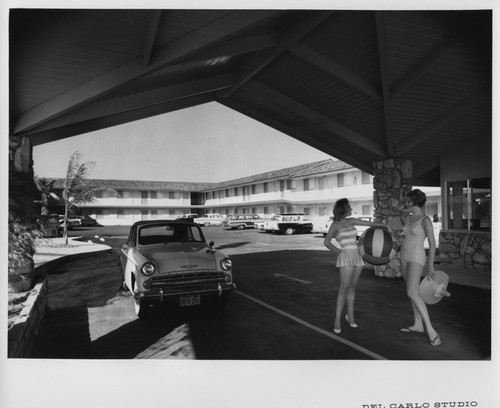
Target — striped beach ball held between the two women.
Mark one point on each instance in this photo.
(377, 246)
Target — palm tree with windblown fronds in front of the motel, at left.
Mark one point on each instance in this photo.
(77, 188)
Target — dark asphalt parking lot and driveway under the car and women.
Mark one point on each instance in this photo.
(282, 310)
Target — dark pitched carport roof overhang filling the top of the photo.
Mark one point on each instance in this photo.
(361, 86)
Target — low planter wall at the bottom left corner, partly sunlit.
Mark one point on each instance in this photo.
(22, 334)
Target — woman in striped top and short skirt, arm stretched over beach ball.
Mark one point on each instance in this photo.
(349, 259)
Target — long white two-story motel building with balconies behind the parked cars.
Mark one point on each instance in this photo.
(309, 188)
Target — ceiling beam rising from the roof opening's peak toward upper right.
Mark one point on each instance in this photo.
(297, 28)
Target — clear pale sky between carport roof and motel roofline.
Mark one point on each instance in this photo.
(205, 143)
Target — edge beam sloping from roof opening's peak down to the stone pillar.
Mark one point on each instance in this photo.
(296, 134)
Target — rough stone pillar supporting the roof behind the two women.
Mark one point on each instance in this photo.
(391, 182)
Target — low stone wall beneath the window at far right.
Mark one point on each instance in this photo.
(466, 248)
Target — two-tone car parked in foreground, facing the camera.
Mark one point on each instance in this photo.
(170, 259)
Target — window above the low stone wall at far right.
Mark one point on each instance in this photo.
(469, 204)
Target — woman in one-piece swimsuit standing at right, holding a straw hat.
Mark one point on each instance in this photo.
(417, 227)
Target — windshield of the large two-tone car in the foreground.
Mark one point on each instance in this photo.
(164, 234)
